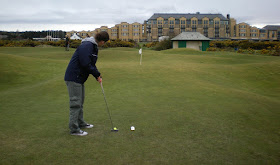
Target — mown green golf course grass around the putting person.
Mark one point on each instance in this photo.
(188, 107)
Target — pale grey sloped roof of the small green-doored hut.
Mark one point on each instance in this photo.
(194, 36)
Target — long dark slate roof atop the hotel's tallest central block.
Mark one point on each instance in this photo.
(187, 15)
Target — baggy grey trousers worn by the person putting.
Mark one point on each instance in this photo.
(76, 96)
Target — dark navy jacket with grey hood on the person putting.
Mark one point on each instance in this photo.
(83, 62)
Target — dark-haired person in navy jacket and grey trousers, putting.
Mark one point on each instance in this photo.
(80, 66)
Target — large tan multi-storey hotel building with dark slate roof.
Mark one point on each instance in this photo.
(213, 26)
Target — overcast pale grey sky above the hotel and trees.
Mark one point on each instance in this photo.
(110, 12)
